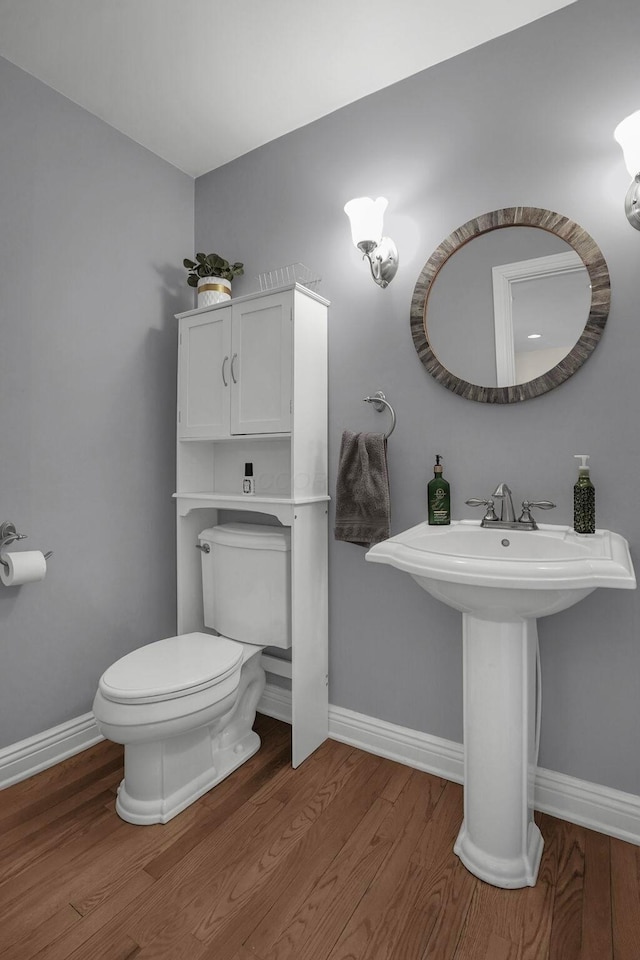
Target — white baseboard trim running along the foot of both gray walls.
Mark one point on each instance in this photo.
(578, 801)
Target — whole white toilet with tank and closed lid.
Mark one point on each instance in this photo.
(184, 706)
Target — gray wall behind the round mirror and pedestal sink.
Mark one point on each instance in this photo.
(526, 119)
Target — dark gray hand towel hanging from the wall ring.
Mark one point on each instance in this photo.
(363, 503)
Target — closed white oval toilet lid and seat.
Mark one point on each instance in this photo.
(170, 668)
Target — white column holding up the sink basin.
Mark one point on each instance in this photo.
(499, 841)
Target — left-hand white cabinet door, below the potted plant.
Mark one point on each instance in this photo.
(204, 371)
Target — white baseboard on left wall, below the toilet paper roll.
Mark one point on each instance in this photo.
(27, 757)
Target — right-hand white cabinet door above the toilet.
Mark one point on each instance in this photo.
(261, 365)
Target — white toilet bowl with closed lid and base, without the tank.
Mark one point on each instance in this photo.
(184, 708)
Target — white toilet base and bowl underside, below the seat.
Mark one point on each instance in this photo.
(163, 777)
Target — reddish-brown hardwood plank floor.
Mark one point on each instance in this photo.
(347, 858)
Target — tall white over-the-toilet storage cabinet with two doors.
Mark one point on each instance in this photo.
(252, 387)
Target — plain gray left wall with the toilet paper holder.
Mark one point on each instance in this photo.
(93, 229)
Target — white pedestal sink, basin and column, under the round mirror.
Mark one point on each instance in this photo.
(502, 581)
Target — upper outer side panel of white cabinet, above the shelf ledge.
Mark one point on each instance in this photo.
(309, 433)
